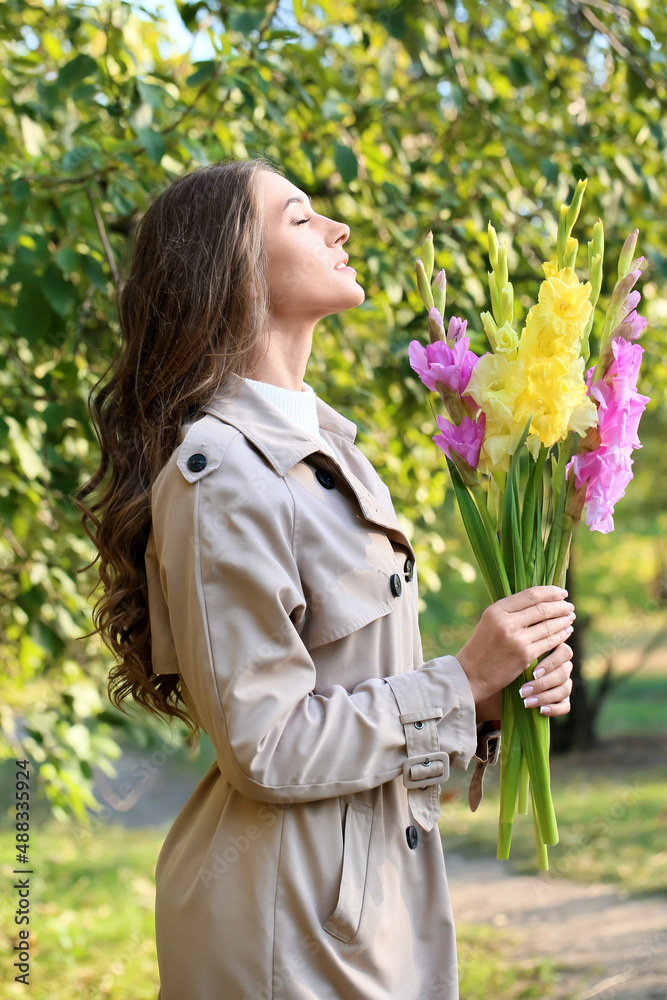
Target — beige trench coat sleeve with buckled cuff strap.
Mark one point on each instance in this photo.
(229, 578)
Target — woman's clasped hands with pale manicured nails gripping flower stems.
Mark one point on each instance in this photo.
(512, 633)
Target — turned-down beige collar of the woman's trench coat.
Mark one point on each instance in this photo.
(280, 441)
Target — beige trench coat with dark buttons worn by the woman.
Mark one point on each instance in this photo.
(307, 863)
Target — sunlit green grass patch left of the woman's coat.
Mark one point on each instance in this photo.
(92, 923)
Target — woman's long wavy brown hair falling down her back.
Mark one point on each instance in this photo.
(193, 308)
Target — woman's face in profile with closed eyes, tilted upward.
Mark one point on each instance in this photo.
(303, 250)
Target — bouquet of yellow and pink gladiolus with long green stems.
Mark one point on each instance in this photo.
(531, 439)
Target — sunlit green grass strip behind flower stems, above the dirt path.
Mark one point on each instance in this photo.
(611, 827)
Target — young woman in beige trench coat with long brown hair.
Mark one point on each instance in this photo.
(258, 585)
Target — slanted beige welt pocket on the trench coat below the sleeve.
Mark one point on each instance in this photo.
(344, 921)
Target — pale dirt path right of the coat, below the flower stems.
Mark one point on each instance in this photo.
(613, 947)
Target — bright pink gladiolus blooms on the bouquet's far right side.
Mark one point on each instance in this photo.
(607, 470)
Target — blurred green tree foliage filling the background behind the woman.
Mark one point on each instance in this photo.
(397, 117)
